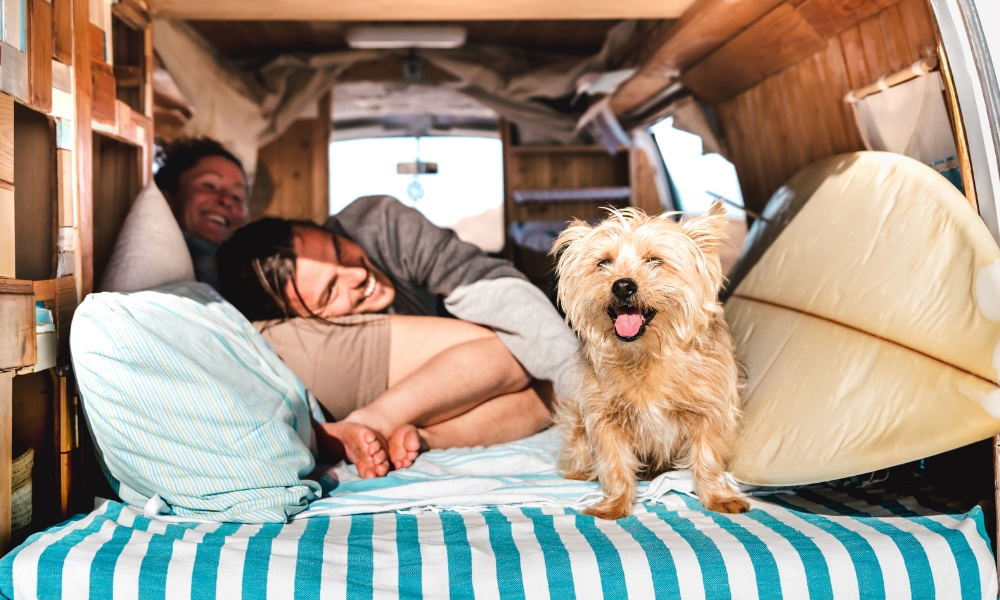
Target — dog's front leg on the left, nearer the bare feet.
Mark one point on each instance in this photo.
(616, 469)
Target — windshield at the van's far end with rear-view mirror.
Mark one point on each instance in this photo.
(466, 194)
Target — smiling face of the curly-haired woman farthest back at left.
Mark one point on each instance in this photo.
(211, 199)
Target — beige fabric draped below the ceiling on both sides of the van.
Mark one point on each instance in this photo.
(246, 110)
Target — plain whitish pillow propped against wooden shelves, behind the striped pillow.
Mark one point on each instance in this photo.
(150, 250)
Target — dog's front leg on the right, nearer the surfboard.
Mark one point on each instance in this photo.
(708, 465)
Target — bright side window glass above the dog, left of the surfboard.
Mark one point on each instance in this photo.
(696, 179)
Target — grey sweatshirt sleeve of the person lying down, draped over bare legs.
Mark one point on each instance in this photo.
(477, 288)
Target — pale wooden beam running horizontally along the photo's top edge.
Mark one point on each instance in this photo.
(418, 10)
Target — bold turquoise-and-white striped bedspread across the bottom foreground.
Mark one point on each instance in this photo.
(818, 543)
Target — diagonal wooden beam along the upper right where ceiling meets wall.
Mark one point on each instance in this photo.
(706, 26)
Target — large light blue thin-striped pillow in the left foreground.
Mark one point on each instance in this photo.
(185, 400)
